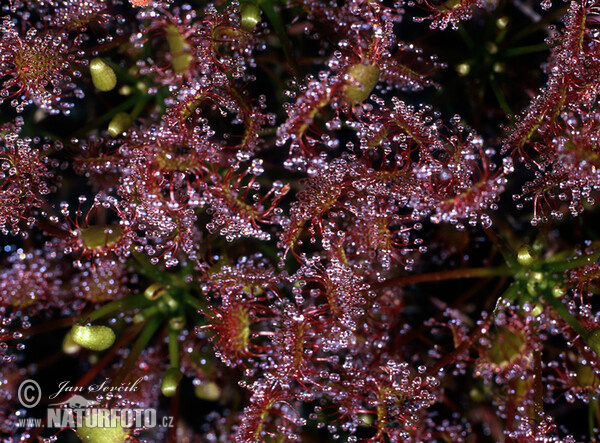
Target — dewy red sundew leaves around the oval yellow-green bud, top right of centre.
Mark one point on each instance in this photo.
(368, 56)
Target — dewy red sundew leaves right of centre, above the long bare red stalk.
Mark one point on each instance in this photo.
(444, 173)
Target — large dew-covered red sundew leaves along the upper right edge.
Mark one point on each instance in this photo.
(557, 135)
